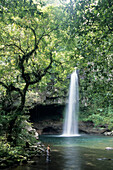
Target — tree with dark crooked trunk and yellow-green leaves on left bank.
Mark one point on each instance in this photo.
(28, 52)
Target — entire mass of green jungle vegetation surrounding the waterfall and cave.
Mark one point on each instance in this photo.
(41, 42)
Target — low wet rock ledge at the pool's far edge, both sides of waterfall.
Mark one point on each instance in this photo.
(56, 127)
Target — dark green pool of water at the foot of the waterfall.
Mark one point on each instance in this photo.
(75, 153)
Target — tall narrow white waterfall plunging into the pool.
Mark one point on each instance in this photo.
(71, 117)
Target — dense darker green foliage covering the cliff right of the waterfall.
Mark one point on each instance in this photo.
(91, 32)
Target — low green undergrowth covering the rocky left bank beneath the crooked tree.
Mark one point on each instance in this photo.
(23, 134)
